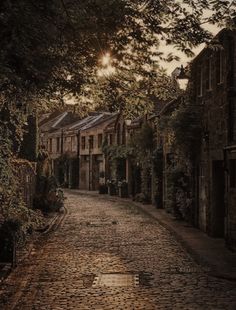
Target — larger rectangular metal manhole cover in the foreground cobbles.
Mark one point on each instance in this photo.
(116, 280)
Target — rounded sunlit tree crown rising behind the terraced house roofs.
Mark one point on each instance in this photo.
(135, 91)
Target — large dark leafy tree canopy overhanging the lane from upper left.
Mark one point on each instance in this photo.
(50, 49)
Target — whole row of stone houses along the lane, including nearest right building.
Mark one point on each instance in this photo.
(76, 145)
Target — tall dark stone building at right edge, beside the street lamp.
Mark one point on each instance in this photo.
(213, 78)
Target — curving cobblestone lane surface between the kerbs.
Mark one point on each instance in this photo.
(106, 255)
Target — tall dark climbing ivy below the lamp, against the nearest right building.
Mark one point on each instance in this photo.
(185, 128)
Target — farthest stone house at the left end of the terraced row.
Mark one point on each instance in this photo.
(61, 145)
